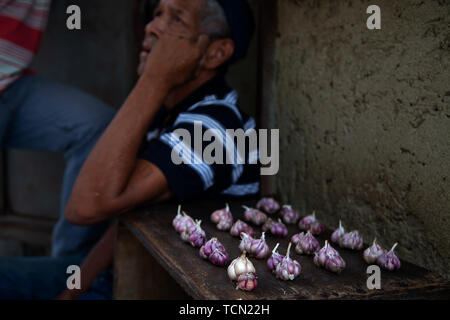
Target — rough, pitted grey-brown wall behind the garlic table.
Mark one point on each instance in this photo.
(365, 120)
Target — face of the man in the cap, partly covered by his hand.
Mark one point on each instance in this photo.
(175, 17)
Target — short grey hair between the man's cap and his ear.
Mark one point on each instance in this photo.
(213, 20)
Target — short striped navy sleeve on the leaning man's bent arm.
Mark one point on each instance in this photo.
(182, 157)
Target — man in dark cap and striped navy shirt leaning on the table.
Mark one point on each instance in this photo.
(187, 48)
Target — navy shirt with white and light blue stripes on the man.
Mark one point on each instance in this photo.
(213, 108)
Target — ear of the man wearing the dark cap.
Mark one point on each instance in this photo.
(218, 52)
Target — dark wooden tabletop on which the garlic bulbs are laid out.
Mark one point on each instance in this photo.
(202, 280)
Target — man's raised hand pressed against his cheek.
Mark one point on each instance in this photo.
(174, 60)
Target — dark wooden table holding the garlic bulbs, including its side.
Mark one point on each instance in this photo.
(151, 262)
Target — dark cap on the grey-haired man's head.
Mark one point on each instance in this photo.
(241, 23)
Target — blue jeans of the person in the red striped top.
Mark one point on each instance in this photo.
(39, 114)
